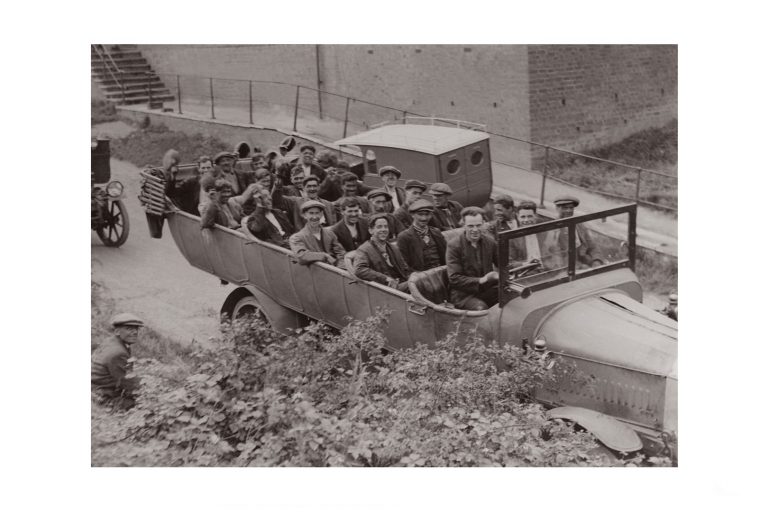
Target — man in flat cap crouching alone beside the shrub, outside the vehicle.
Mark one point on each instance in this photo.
(109, 362)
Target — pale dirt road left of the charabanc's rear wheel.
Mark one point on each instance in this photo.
(151, 278)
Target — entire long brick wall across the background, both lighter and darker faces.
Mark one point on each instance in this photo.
(570, 96)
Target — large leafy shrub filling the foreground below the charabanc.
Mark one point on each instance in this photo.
(323, 399)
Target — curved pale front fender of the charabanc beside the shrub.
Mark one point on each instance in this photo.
(608, 430)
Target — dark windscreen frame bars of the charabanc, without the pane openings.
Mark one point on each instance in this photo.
(509, 290)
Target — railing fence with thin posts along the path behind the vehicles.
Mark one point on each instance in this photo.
(293, 107)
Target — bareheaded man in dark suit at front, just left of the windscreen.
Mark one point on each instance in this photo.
(470, 260)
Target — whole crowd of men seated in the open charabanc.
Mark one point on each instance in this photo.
(316, 206)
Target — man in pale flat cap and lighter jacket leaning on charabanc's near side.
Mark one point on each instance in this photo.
(314, 242)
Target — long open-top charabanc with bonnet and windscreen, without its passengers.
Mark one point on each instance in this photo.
(590, 316)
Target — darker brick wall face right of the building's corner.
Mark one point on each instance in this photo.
(584, 96)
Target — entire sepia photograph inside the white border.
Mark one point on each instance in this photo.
(384, 255)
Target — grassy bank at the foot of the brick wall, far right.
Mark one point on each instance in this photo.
(654, 149)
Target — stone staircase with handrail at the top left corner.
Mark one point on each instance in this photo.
(125, 77)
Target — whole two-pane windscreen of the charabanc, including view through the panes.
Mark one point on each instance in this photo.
(558, 251)
